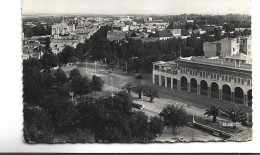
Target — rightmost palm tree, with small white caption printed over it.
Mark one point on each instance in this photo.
(235, 114)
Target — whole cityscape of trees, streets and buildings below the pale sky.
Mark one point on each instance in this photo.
(137, 78)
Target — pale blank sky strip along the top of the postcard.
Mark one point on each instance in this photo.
(163, 7)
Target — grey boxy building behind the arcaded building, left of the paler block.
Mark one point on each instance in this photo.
(211, 49)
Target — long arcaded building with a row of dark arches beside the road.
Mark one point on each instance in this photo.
(214, 78)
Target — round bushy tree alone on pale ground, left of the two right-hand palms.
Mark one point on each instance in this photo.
(174, 117)
